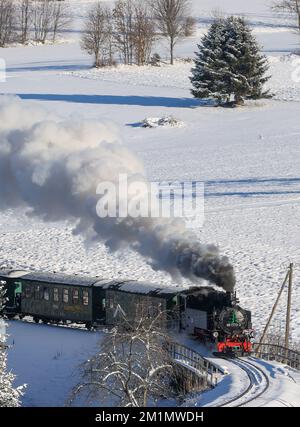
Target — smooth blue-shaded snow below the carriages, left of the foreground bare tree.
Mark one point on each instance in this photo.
(47, 360)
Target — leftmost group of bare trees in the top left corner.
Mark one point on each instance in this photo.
(37, 20)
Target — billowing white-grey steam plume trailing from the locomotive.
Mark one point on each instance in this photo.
(52, 167)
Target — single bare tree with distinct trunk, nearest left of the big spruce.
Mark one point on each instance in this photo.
(173, 20)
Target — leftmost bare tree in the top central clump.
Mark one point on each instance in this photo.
(98, 34)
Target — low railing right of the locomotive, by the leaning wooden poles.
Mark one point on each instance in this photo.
(278, 353)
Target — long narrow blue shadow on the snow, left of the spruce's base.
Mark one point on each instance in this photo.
(143, 101)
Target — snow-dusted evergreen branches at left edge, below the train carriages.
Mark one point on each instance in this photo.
(9, 396)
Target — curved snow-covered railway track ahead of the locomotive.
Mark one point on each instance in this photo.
(258, 384)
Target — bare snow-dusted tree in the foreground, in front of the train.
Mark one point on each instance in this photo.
(133, 368)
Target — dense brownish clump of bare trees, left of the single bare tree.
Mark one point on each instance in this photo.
(127, 29)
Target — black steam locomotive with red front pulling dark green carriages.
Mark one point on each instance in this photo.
(209, 314)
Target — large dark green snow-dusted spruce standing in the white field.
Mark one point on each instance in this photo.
(229, 66)
